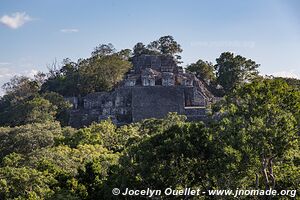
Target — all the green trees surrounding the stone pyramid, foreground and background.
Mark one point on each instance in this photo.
(251, 140)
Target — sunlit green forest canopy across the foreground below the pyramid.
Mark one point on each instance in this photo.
(254, 143)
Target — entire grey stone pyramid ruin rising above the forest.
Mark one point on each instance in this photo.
(154, 87)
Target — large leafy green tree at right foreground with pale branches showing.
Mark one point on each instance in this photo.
(259, 131)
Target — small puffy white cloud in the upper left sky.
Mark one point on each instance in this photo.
(15, 20)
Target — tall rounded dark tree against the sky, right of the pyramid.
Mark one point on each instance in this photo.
(234, 70)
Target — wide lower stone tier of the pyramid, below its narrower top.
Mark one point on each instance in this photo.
(133, 104)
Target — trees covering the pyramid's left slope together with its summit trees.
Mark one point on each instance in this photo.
(104, 69)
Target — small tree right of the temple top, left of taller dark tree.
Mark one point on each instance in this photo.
(204, 70)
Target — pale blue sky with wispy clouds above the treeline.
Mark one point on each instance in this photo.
(34, 33)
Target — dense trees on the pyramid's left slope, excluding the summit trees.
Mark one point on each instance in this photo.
(100, 72)
